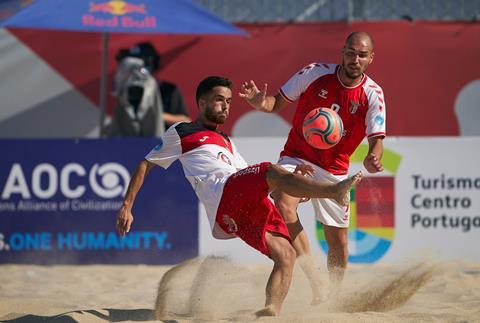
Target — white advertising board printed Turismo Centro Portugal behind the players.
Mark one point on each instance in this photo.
(426, 203)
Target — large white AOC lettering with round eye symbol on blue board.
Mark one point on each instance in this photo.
(72, 180)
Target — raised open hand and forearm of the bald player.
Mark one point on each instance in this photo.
(260, 100)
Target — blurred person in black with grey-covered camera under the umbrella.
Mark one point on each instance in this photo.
(145, 104)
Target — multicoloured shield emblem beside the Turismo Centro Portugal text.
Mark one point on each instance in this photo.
(372, 211)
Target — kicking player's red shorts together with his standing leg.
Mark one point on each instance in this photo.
(246, 211)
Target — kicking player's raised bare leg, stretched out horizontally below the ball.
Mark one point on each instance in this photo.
(280, 179)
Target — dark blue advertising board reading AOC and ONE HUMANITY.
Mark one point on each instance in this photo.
(59, 200)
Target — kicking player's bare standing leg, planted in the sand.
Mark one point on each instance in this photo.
(283, 256)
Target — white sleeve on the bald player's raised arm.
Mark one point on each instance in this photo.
(299, 82)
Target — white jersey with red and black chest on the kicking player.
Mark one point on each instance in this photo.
(208, 158)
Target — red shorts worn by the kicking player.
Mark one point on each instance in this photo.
(246, 211)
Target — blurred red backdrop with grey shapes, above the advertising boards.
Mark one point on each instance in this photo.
(447, 97)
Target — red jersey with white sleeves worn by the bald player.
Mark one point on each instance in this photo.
(362, 109)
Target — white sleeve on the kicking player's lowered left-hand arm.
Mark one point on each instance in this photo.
(167, 151)
